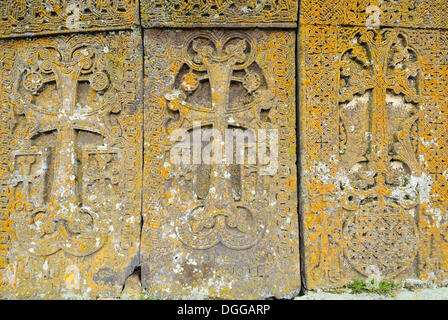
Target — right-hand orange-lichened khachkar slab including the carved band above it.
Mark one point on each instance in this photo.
(374, 113)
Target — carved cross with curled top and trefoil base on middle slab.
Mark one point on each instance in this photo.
(219, 219)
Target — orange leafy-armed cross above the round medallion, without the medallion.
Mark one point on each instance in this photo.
(388, 68)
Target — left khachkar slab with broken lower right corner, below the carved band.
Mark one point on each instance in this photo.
(70, 164)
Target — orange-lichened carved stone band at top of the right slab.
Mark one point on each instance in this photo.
(374, 13)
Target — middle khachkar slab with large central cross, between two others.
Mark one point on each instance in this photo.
(221, 229)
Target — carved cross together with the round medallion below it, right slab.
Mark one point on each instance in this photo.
(379, 103)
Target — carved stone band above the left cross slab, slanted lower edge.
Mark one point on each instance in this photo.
(25, 17)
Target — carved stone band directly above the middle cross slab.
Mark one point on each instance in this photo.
(187, 13)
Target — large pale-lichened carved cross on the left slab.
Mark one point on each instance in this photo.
(63, 223)
